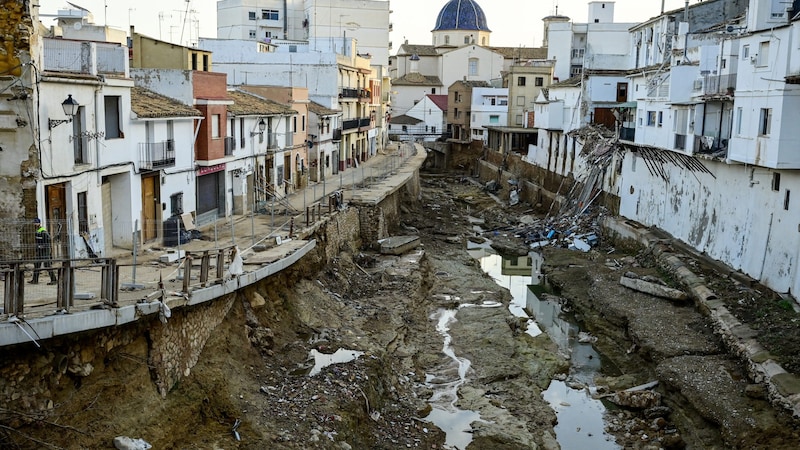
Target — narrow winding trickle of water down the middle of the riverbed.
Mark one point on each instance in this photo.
(455, 423)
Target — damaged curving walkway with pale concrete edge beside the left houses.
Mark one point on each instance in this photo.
(251, 246)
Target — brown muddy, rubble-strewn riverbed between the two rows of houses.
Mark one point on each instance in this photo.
(255, 369)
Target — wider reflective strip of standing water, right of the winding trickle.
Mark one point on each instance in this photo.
(580, 417)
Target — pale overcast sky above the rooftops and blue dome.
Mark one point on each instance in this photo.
(513, 22)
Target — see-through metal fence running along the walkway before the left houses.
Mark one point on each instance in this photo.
(92, 266)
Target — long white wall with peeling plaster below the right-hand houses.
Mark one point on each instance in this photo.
(734, 216)
